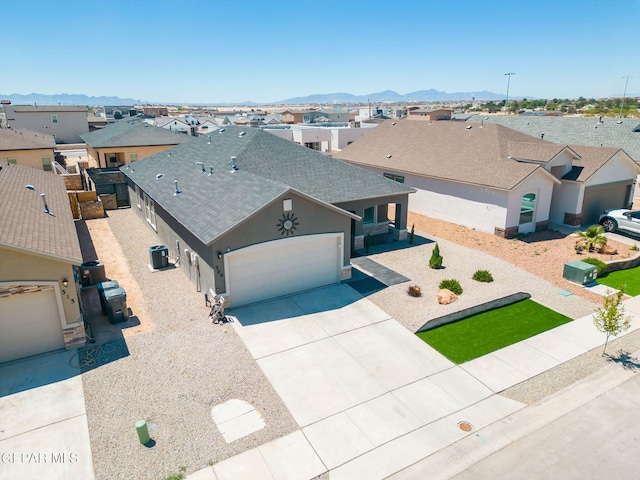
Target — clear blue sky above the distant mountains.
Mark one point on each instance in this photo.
(232, 51)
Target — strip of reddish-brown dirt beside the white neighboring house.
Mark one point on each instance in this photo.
(542, 253)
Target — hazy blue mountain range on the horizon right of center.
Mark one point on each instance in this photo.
(391, 96)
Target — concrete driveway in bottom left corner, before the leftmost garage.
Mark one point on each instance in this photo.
(43, 422)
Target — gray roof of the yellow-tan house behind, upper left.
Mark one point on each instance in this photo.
(132, 134)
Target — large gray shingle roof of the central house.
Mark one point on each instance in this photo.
(268, 167)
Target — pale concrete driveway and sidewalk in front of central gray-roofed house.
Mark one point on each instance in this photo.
(370, 397)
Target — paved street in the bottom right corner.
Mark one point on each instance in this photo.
(601, 439)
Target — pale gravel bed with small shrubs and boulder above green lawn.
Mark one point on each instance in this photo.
(461, 262)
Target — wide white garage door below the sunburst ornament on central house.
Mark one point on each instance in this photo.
(282, 267)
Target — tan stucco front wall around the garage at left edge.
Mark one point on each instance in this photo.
(19, 266)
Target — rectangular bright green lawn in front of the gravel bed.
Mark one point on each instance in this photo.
(486, 332)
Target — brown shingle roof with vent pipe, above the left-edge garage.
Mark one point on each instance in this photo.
(23, 221)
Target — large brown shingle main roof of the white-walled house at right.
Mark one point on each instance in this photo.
(451, 151)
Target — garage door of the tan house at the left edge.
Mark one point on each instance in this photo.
(29, 324)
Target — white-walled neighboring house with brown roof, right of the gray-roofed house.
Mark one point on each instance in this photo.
(493, 178)
